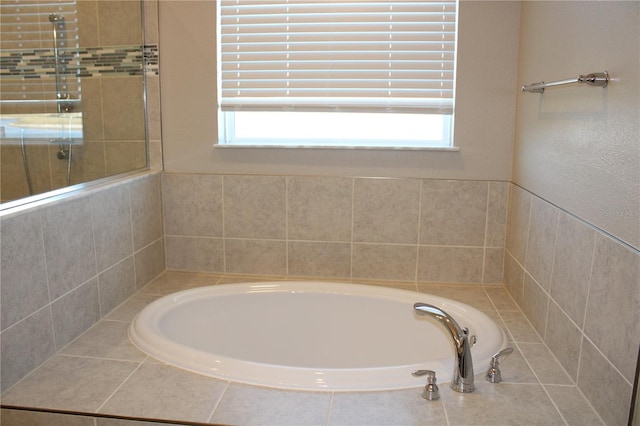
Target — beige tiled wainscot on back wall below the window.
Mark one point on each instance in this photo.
(337, 227)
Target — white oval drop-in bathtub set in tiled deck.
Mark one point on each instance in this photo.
(309, 335)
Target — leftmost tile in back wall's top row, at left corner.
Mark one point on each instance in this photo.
(192, 205)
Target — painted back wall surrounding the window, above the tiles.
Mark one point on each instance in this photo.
(485, 105)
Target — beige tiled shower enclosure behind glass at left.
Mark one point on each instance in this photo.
(71, 93)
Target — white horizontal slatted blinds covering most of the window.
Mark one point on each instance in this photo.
(389, 56)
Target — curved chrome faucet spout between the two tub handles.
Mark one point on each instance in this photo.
(462, 380)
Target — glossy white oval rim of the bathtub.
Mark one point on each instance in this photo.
(242, 371)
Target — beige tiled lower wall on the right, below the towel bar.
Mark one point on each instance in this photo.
(580, 288)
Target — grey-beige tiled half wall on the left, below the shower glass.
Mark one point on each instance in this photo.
(67, 264)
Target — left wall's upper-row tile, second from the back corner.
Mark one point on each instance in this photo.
(111, 210)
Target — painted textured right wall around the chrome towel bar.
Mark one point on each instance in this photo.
(579, 147)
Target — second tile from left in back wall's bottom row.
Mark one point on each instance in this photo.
(257, 257)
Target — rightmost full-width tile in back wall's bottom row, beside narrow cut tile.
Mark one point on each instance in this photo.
(450, 264)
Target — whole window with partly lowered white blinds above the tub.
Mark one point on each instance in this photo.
(336, 73)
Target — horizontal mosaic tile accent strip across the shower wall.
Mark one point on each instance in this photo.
(85, 62)
